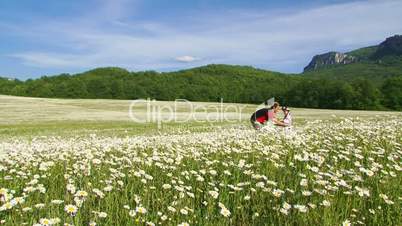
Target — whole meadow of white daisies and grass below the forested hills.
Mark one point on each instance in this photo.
(82, 162)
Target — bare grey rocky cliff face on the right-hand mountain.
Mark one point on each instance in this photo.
(330, 58)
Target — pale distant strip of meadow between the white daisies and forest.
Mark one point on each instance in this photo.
(30, 117)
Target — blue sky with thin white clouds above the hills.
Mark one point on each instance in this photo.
(49, 37)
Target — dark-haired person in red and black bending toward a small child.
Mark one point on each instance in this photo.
(262, 116)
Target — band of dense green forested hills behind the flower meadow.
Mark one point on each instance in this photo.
(210, 83)
